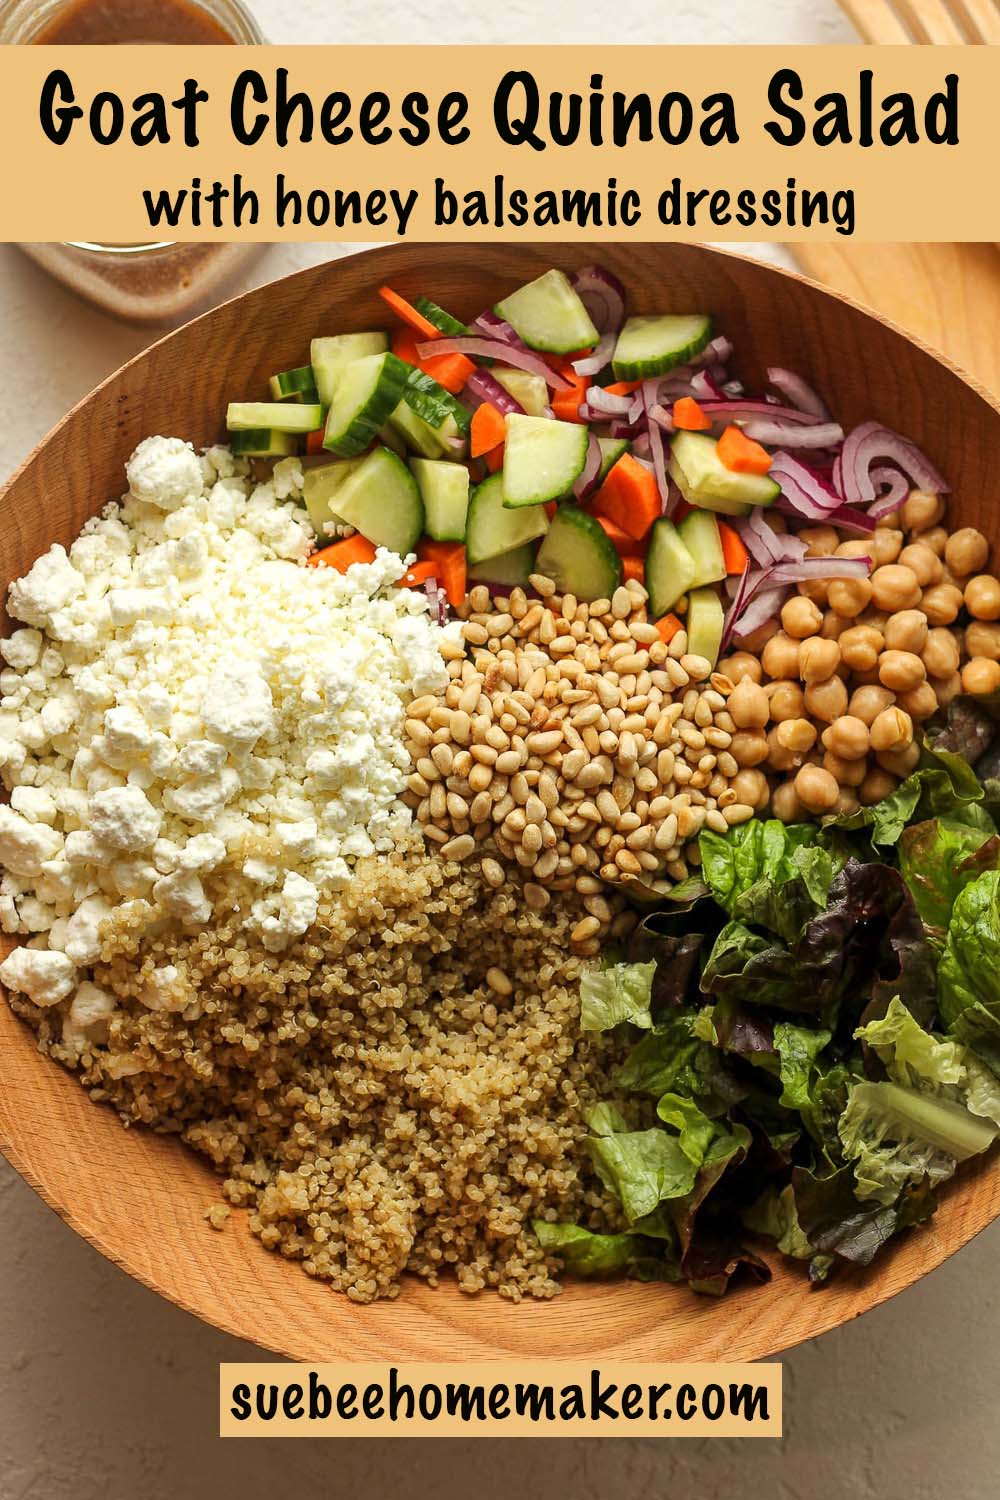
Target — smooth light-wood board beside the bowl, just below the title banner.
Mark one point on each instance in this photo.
(947, 295)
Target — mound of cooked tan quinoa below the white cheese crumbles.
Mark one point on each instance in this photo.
(404, 1090)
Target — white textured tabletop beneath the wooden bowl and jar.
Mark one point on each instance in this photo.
(106, 1391)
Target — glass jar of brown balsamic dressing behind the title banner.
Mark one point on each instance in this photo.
(166, 281)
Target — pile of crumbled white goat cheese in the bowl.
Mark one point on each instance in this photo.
(190, 698)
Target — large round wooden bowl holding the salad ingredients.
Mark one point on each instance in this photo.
(140, 1198)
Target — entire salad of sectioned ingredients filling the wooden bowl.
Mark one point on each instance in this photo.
(525, 806)
